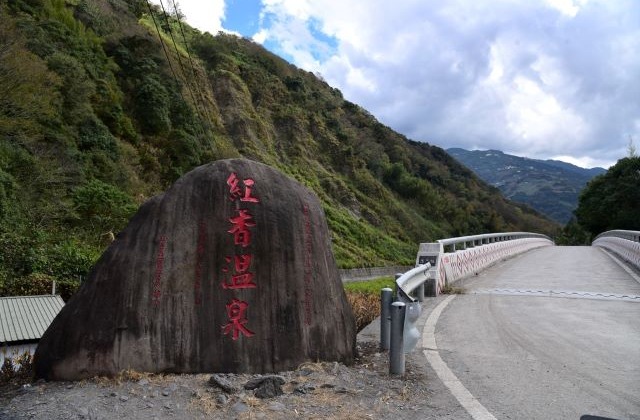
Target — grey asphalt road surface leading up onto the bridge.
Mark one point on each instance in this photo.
(550, 334)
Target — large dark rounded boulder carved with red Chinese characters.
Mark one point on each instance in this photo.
(230, 270)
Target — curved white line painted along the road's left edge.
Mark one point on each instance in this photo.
(462, 394)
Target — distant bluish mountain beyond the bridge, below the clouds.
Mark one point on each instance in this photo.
(552, 187)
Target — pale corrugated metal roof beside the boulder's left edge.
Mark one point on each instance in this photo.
(27, 317)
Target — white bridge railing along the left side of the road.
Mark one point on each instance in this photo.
(455, 258)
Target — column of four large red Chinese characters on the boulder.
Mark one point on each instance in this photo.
(236, 273)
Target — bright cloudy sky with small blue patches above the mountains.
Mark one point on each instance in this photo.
(545, 79)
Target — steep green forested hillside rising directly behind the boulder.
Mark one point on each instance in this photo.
(95, 119)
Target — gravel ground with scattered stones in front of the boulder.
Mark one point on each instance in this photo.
(313, 391)
